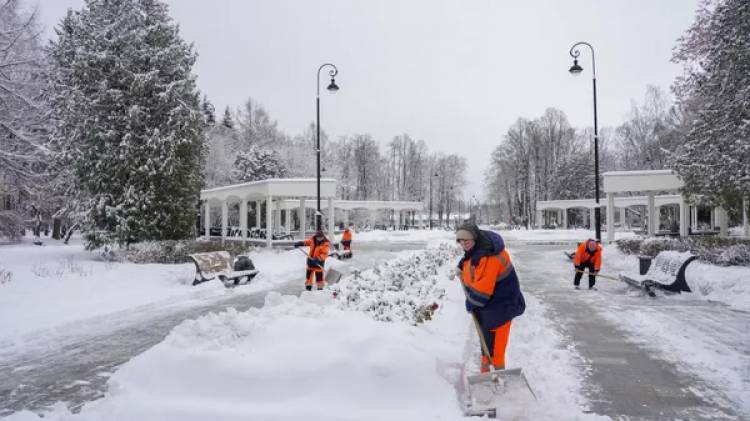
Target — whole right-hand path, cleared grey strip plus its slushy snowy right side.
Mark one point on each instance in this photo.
(635, 366)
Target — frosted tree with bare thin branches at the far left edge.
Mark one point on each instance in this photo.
(23, 111)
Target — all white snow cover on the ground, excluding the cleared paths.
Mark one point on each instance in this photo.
(361, 355)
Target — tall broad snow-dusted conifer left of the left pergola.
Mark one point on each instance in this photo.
(129, 121)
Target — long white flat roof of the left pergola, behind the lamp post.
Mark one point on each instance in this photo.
(287, 187)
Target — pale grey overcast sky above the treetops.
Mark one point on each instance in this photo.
(455, 74)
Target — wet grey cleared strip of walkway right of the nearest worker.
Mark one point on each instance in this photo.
(625, 380)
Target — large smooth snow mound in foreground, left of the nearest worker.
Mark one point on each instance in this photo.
(293, 359)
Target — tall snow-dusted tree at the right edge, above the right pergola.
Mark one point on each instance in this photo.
(715, 89)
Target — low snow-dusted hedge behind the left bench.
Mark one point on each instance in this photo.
(171, 251)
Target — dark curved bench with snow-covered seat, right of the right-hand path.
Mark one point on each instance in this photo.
(666, 271)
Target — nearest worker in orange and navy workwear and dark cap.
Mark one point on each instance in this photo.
(493, 294)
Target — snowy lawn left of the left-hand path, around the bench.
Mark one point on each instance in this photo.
(55, 284)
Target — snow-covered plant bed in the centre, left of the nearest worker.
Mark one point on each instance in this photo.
(405, 289)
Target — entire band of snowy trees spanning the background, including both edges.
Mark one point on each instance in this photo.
(105, 129)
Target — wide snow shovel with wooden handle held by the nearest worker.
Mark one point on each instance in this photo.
(498, 388)
